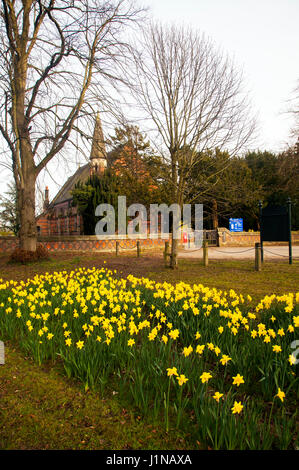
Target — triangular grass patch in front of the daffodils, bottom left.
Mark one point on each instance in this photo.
(41, 409)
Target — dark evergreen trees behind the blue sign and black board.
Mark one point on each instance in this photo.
(233, 186)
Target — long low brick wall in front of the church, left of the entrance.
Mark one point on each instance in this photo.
(83, 243)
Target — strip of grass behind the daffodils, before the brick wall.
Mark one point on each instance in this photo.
(276, 276)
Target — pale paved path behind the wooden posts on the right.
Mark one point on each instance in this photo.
(242, 252)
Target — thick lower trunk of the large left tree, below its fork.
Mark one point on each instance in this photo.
(28, 232)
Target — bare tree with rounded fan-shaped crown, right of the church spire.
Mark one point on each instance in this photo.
(193, 95)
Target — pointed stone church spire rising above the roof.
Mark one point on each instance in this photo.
(98, 154)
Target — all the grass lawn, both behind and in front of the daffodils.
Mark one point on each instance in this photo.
(41, 409)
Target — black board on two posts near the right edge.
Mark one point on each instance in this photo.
(275, 225)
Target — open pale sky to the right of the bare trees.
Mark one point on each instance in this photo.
(263, 38)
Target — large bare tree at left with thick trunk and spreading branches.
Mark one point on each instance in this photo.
(53, 54)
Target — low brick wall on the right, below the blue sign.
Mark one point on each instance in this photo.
(227, 238)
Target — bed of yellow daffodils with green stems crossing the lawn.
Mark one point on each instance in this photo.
(204, 360)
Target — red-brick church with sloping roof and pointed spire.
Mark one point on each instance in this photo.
(59, 216)
